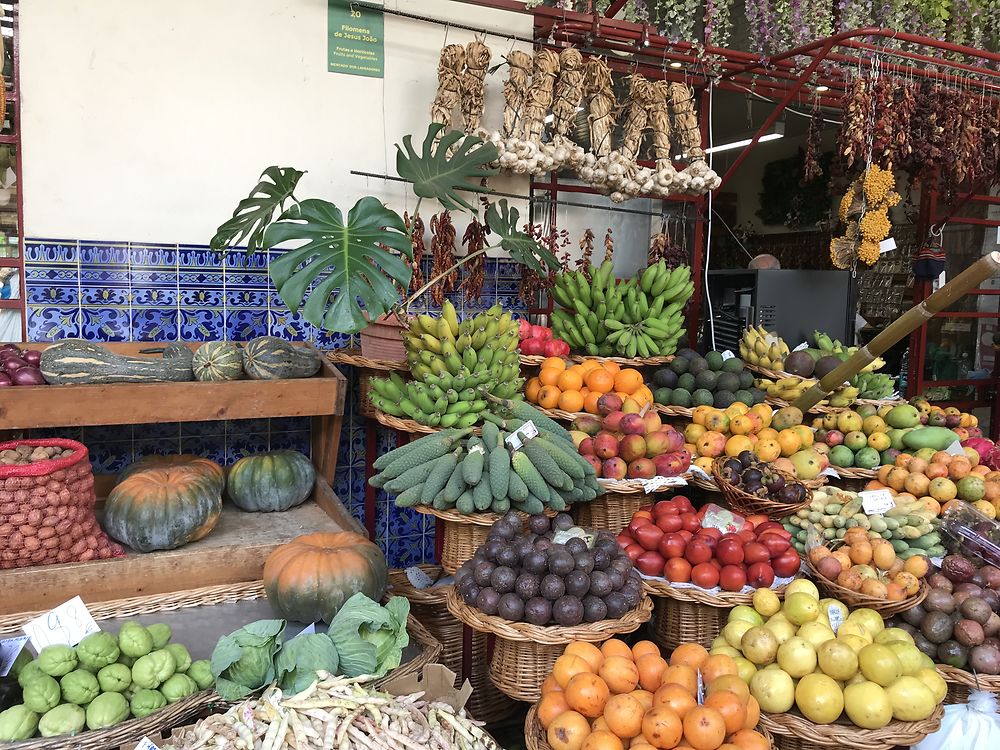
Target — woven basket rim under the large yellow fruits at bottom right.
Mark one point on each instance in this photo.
(794, 732)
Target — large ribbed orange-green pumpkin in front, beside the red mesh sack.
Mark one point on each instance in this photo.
(165, 507)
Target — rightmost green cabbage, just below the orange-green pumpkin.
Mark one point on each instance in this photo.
(370, 638)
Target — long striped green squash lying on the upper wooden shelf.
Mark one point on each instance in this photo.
(79, 361)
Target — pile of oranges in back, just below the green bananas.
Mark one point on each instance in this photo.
(578, 388)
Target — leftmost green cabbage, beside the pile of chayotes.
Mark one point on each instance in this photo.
(243, 661)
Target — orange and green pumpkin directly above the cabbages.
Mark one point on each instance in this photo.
(309, 578)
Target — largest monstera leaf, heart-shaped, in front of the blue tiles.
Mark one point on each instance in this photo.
(344, 259)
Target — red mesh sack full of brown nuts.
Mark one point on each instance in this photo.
(47, 510)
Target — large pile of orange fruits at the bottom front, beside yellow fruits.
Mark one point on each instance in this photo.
(615, 697)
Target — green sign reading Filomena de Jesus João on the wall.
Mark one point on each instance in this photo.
(355, 40)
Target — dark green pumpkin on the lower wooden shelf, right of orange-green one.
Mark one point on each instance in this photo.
(273, 481)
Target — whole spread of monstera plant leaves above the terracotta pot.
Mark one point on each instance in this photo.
(340, 272)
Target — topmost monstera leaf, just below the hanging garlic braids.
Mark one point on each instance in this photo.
(437, 175)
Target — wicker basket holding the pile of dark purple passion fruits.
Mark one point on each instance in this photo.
(523, 654)
